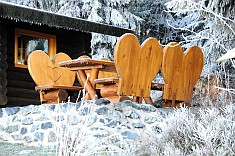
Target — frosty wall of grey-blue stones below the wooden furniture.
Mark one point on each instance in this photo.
(42, 125)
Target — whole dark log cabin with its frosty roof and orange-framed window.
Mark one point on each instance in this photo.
(24, 29)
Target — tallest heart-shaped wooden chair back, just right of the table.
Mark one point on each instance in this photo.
(137, 65)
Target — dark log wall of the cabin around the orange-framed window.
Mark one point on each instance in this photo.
(20, 86)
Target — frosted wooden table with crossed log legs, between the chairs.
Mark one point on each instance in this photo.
(82, 64)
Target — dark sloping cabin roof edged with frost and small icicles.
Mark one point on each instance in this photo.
(37, 16)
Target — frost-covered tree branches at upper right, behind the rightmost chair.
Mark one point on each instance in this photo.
(208, 24)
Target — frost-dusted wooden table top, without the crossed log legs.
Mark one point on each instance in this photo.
(87, 63)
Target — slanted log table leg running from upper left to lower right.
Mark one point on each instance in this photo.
(88, 86)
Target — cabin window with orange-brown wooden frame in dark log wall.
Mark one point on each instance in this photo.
(27, 41)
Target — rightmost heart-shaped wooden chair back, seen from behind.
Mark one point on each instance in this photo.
(181, 71)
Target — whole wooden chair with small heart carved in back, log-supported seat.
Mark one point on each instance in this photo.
(54, 83)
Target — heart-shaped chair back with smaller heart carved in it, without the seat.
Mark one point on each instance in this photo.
(45, 71)
